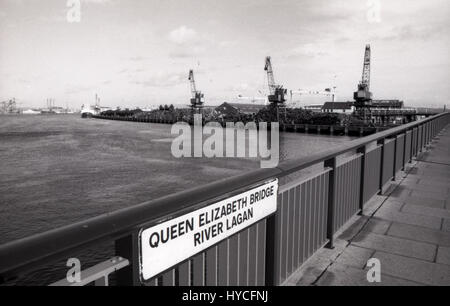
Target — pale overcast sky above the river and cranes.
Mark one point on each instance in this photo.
(139, 52)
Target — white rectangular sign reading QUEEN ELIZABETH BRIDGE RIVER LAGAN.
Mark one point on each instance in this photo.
(166, 244)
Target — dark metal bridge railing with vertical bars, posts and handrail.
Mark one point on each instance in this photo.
(309, 212)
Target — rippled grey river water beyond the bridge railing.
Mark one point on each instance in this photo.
(58, 169)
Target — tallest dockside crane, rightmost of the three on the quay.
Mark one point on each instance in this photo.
(363, 97)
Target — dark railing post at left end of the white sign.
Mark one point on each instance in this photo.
(127, 247)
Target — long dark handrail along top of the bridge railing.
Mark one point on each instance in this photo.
(26, 254)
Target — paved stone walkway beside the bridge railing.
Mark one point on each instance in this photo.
(408, 230)
